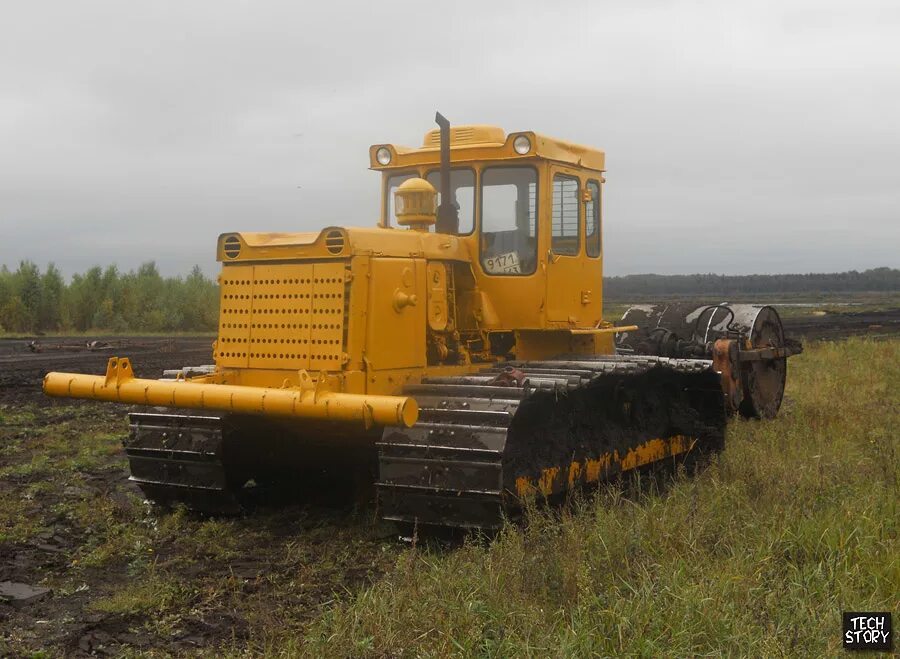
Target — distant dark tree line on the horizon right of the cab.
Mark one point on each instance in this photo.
(633, 286)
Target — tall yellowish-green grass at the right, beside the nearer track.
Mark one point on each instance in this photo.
(757, 555)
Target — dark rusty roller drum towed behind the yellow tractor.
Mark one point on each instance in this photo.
(687, 330)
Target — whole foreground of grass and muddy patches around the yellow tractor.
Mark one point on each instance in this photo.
(757, 554)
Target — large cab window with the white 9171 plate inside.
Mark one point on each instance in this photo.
(509, 220)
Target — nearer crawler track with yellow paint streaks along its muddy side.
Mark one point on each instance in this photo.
(480, 447)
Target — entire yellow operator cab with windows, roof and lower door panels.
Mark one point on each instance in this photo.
(527, 206)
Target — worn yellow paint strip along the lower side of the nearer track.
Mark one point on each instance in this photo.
(596, 469)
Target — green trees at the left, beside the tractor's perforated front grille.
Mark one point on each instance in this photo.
(100, 299)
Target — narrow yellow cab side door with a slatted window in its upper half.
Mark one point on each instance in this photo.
(565, 257)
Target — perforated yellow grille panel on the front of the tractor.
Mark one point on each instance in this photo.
(286, 316)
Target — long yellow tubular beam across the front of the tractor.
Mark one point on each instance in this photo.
(119, 385)
